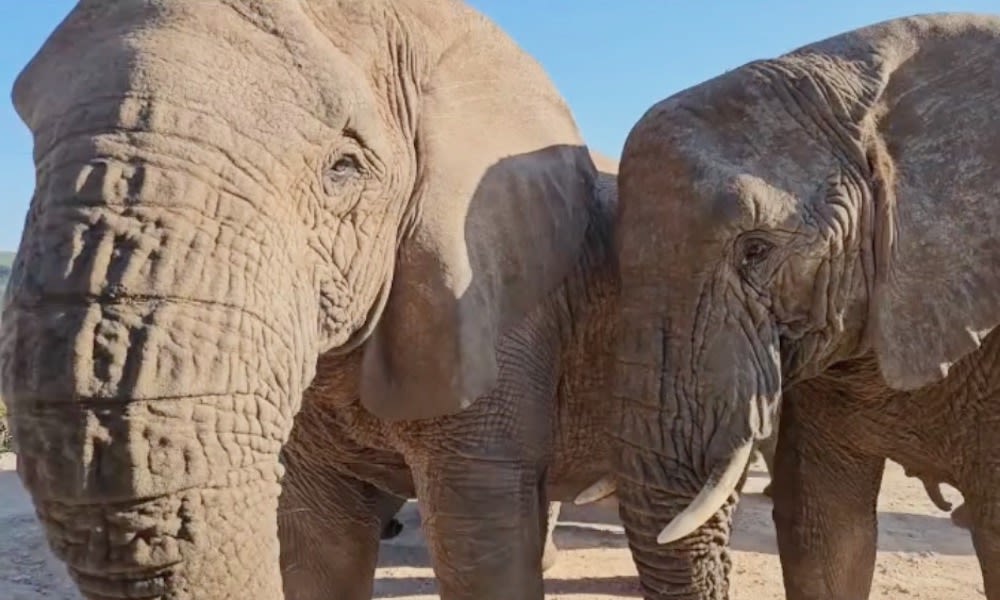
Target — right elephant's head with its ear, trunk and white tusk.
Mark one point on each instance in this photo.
(837, 202)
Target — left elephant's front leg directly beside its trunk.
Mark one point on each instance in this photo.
(329, 531)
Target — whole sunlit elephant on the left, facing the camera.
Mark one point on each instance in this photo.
(364, 236)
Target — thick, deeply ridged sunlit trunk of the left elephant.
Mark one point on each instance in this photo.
(151, 379)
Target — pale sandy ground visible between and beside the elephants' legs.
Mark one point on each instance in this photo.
(922, 555)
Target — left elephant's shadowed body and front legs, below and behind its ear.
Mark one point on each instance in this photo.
(349, 471)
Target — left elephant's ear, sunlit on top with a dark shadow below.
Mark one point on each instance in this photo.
(501, 208)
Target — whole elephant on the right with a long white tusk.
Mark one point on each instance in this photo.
(815, 231)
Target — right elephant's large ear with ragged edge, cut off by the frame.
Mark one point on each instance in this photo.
(936, 162)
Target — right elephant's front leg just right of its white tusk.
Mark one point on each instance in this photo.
(824, 503)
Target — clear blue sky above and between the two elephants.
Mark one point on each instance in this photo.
(610, 60)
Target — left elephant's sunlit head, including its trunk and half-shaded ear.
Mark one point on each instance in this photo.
(227, 190)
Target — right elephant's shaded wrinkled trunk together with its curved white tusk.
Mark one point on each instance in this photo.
(684, 444)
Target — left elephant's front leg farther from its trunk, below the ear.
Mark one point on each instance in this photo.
(481, 521)
